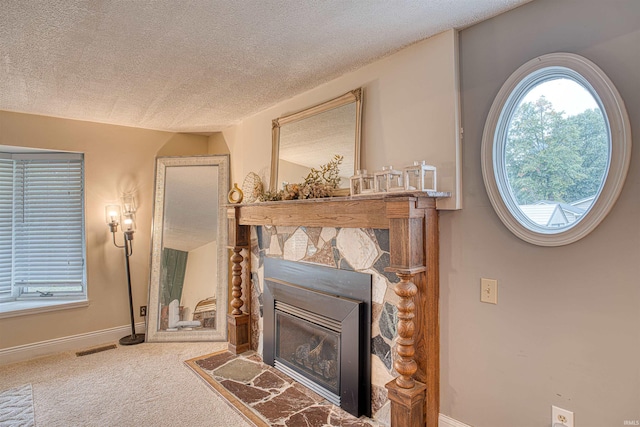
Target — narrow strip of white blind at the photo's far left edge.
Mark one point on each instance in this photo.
(6, 226)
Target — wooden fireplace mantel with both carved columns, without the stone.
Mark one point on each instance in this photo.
(412, 221)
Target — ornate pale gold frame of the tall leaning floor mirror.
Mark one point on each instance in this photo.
(217, 287)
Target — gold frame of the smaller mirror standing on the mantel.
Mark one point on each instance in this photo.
(354, 96)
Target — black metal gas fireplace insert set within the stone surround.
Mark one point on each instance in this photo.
(317, 330)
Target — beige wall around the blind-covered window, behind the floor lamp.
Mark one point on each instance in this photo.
(117, 159)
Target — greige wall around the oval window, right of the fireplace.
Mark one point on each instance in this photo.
(566, 330)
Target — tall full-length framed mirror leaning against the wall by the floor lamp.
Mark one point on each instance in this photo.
(187, 289)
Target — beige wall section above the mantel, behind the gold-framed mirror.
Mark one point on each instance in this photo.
(410, 113)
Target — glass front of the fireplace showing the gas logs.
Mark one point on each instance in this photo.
(310, 349)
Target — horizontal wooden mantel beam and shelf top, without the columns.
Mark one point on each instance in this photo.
(353, 212)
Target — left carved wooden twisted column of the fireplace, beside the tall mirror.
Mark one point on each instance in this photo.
(237, 321)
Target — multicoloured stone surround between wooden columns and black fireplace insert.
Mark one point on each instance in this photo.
(356, 249)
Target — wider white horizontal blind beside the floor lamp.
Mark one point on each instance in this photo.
(48, 223)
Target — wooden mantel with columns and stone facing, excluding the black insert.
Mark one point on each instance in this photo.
(392, 237)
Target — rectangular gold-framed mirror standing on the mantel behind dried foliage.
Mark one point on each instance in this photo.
(312, 137)
